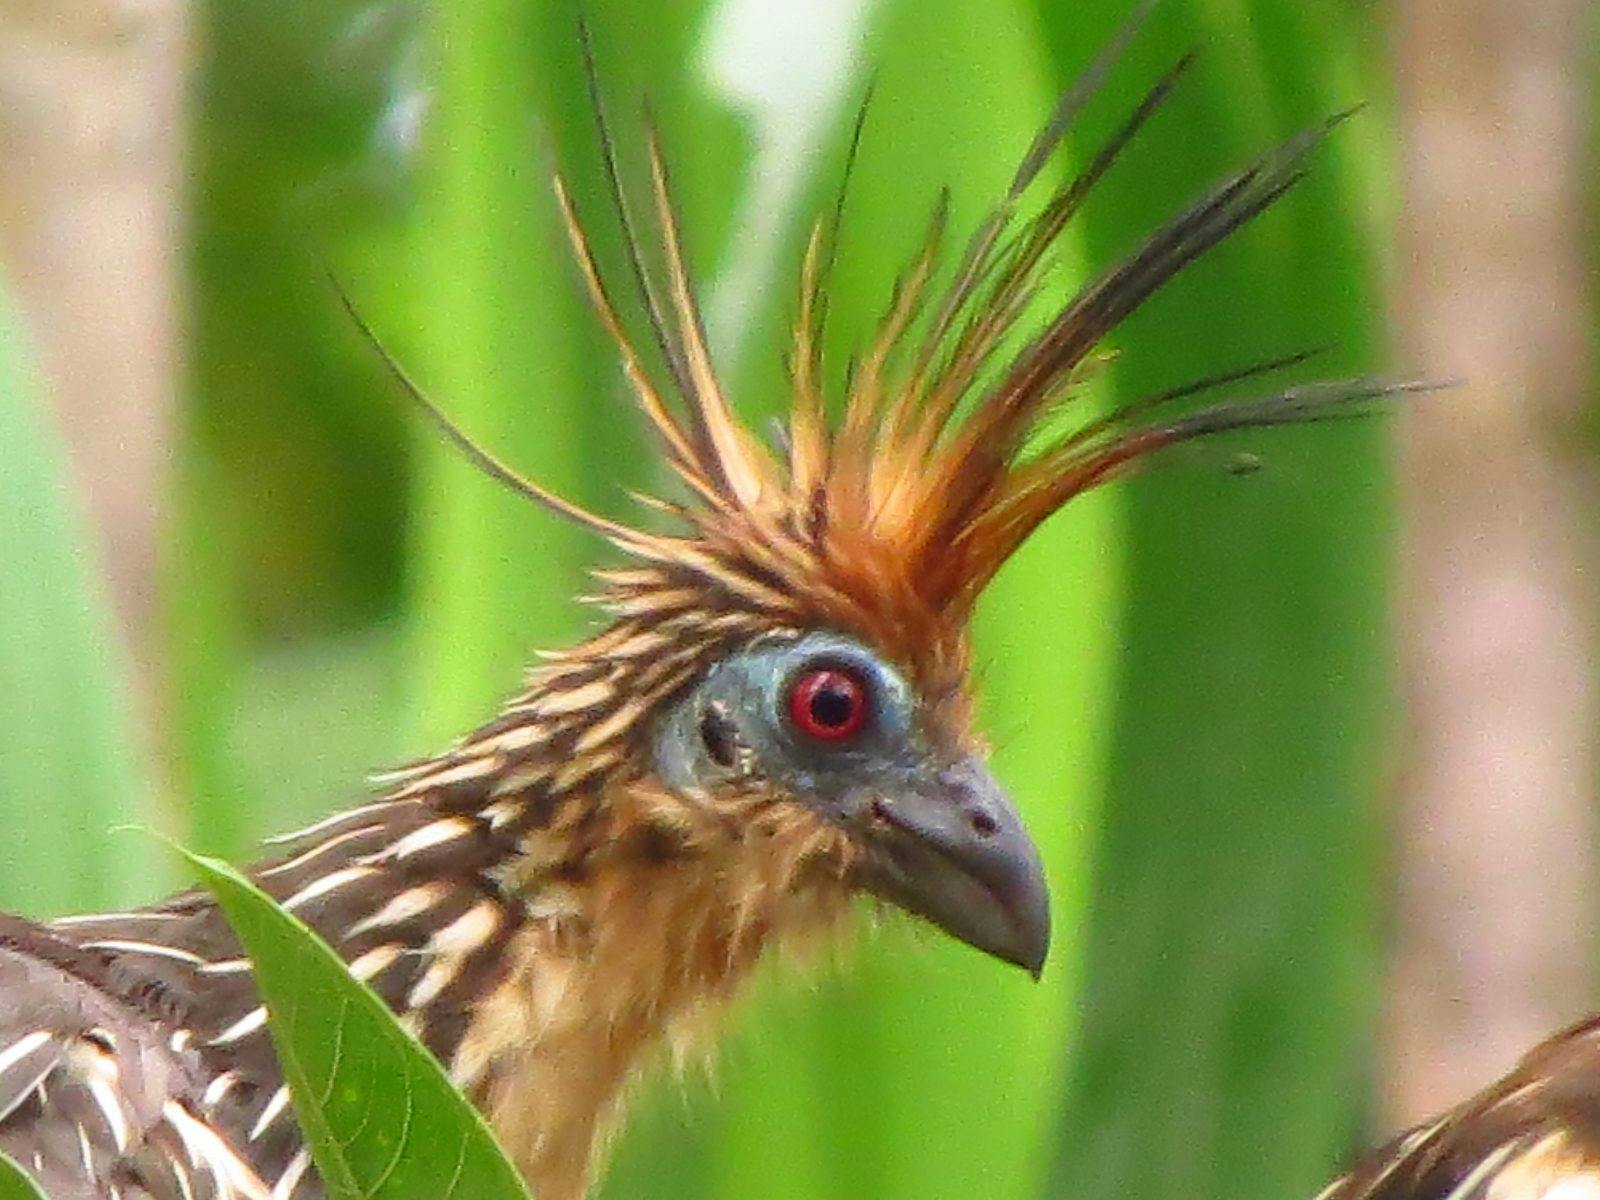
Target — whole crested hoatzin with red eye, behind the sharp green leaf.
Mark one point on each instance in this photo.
(777, 719)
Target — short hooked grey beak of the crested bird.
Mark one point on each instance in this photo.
(953, 849)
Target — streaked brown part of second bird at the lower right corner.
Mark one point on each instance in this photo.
(1535, 1135)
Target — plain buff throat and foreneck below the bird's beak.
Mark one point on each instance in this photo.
(638, 953)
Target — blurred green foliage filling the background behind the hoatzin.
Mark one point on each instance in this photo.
(1183, 676)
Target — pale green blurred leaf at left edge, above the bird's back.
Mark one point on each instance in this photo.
(66, 774)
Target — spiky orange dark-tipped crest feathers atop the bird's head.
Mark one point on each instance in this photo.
(892, 519)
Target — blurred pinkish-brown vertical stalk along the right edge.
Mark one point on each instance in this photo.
(1497, 828)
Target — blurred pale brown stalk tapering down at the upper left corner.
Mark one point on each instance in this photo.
(90, 193)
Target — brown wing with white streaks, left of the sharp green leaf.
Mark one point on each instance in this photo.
(98, 1098)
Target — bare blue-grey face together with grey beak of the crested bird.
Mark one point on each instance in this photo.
(940, 836)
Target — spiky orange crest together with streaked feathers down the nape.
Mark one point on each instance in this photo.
(890, 519)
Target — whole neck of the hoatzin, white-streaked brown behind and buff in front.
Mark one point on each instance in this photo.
(570, 937)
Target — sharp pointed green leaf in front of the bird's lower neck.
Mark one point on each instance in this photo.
(380, 1116)
